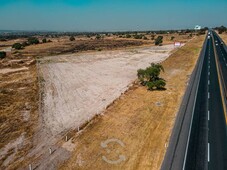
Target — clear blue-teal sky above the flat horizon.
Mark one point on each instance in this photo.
(110, 15)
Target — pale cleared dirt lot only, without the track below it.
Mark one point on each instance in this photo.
(79, 87)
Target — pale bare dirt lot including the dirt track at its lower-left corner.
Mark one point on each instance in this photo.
(75, 89)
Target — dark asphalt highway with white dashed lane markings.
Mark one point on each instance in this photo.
(199, 137)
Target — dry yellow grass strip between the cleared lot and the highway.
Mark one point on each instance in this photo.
(141, 119)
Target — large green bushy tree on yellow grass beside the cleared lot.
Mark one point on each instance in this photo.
(150, 77)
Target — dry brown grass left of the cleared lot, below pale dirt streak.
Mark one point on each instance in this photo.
(18, 113)
